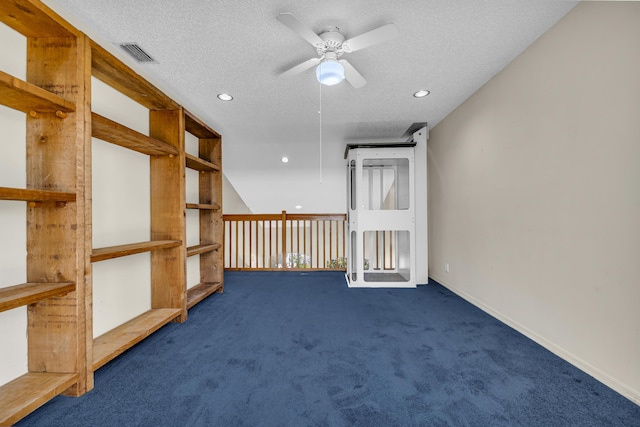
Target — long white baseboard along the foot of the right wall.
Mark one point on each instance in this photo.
(623, 389)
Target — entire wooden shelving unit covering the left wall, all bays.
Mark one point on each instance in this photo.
(57, 194)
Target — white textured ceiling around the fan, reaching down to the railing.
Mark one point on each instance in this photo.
(205, 47)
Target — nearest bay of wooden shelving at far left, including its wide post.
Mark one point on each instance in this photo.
(55, 293)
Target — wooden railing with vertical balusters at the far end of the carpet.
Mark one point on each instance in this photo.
(285, 242)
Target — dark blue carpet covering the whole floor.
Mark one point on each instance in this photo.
(292, 349)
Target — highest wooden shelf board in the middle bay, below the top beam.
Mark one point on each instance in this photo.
(115, 133)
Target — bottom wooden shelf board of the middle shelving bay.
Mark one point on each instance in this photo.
(115, 342)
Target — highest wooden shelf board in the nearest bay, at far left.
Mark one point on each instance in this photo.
(26, 97)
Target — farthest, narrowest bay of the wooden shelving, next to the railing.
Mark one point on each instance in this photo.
(209, 164)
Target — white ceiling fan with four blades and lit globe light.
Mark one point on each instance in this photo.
(330, 46)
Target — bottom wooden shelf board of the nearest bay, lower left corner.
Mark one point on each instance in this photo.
(30, 391)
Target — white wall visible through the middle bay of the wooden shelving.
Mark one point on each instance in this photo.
(120, 214)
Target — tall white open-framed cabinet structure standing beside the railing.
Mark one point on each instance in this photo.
(386, 214)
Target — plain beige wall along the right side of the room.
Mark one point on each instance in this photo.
(534, 187)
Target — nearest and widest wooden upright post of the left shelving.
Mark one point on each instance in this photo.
(60, 329)
